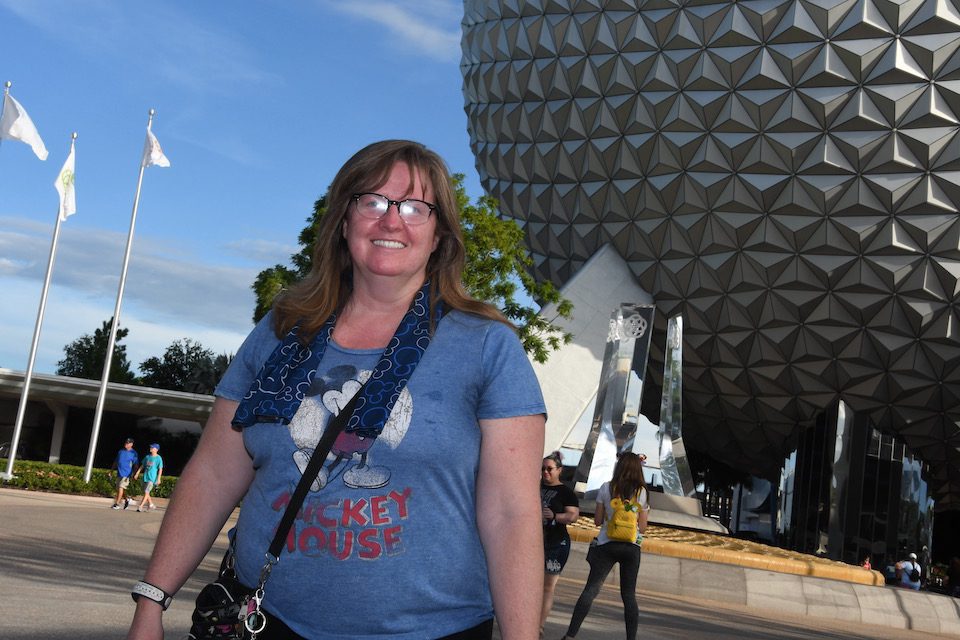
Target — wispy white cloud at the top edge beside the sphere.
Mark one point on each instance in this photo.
(413, 26)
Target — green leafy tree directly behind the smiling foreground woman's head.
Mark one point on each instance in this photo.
(497, 271)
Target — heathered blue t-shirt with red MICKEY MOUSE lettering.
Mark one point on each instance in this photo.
(388, 547)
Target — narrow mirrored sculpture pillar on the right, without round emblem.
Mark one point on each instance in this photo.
(677, 478)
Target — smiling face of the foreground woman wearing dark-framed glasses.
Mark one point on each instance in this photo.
(388, 247)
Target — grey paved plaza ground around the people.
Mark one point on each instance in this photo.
(67, 565)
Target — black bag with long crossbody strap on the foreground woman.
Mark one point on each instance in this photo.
(226, 609)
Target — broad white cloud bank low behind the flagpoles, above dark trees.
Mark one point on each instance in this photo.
(168, 294)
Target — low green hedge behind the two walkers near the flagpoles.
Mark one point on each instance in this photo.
(68, 478)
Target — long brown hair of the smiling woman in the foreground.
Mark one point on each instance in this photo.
(330, 282)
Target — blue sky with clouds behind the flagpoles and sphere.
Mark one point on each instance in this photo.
(258, 103)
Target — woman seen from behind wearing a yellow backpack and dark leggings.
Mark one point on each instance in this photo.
(627, 485)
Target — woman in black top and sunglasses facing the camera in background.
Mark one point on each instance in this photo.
(560, 508)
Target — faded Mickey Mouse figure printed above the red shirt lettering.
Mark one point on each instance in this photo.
(350, 453)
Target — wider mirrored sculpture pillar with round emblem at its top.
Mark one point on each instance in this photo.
(614, 426)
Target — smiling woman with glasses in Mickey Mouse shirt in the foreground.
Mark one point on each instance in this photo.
(422, 527)
